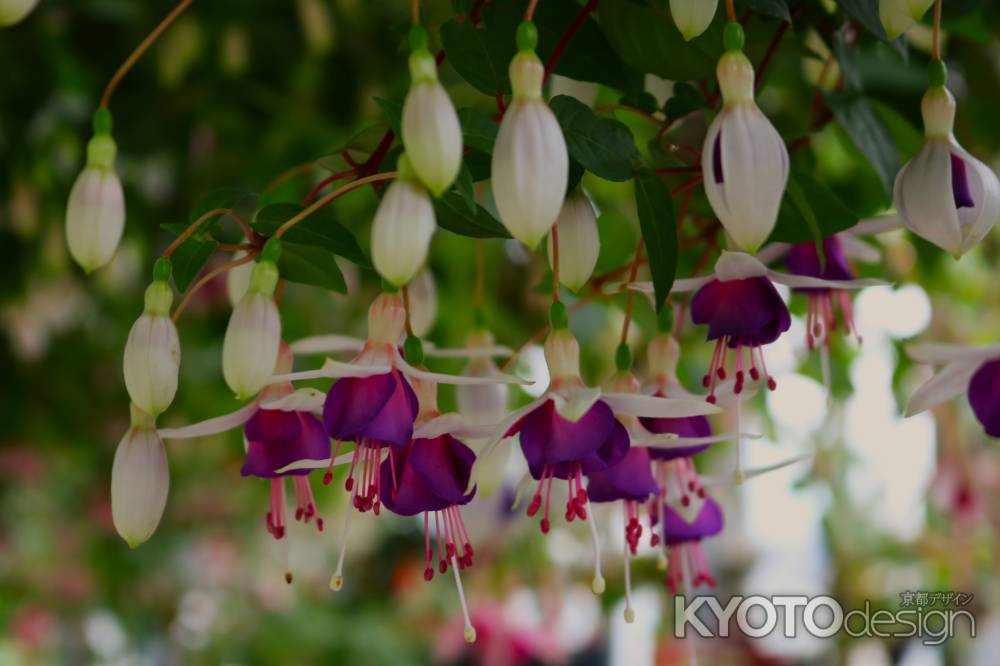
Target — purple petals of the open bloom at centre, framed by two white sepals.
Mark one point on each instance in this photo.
(549, 439)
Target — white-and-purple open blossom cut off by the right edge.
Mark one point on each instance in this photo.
(974, 371)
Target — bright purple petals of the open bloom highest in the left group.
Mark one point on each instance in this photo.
(381, 407)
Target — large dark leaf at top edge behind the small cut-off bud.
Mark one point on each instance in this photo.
(645, 36)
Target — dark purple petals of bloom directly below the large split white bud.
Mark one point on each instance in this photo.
(750, 311)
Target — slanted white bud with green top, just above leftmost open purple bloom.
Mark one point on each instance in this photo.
(250, 348)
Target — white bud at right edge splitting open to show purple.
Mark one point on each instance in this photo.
(944, 194)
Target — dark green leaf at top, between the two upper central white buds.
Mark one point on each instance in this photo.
(478, 55)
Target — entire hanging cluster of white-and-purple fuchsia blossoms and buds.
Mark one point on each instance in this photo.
(637, 445)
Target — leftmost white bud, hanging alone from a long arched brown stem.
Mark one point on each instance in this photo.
(95, 214)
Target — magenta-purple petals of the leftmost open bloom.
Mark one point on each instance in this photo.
(265, 456)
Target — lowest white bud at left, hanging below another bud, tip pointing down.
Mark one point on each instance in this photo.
(140, 479)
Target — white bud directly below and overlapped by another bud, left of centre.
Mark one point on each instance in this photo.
(402, 230)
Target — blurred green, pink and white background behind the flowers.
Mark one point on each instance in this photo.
(238, 93)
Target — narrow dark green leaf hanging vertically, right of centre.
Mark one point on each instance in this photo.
(659, 231)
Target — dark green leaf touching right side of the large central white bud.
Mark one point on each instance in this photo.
(603, 146)
